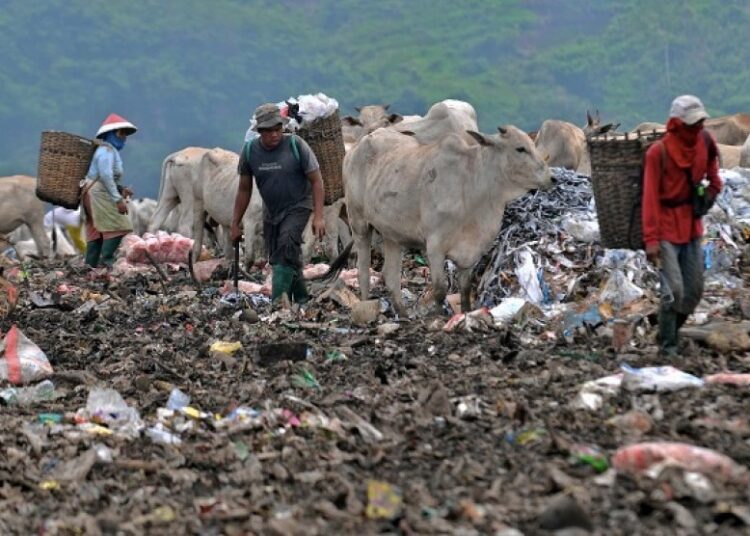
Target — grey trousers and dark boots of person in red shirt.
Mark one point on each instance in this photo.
(682, 288)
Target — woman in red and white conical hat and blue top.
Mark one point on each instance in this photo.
(107, 219)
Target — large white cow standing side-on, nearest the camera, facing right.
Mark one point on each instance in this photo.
(447, 197)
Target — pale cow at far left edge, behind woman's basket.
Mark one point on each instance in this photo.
(19, 205)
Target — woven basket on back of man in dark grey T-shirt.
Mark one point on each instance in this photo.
(327, 142)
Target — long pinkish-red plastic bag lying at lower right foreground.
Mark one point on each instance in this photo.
(644, 457)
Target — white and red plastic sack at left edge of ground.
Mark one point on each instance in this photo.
(22, 362)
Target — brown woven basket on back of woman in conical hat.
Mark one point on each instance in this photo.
(64, 160)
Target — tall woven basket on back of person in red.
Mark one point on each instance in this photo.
(617, 181)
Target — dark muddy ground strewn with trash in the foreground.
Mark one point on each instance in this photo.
(473, 430)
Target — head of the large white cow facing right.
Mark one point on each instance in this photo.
(513, 152)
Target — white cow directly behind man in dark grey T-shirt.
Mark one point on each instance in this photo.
(214, 194)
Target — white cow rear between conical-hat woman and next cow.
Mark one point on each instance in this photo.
(179, 172)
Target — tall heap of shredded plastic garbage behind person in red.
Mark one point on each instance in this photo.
(548, 252)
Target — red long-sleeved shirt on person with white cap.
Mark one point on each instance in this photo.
(674, 224)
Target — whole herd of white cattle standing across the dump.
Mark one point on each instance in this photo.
(432, 182)
